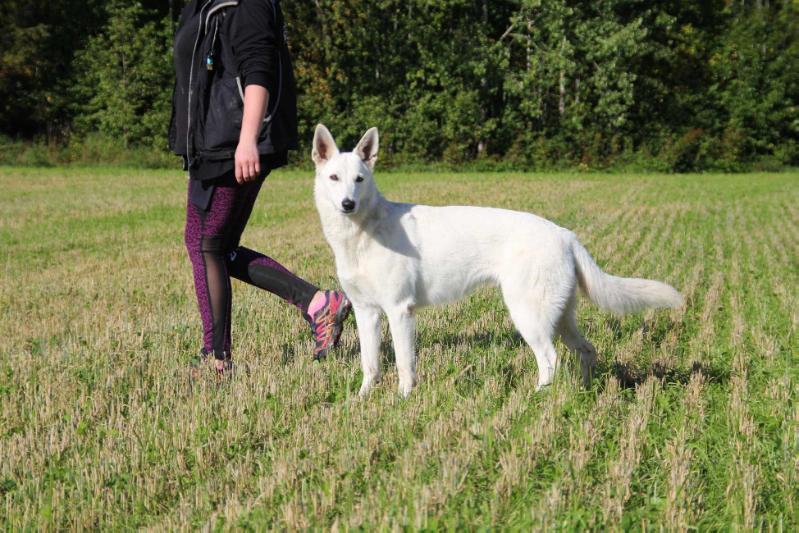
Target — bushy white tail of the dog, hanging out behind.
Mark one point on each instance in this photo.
(620, 295)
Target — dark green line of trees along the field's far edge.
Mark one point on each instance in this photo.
(672, 85)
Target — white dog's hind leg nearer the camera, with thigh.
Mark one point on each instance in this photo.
(535, 319)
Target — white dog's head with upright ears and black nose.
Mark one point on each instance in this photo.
(344, 180)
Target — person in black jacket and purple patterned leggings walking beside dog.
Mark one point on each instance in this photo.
(233, 121)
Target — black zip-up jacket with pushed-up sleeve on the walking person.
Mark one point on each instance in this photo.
(221, 46)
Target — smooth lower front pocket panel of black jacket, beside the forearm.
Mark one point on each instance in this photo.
(225, 109)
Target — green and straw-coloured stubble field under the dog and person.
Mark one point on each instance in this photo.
(692, 421)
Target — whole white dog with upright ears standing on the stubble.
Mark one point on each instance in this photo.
(395, 258)
